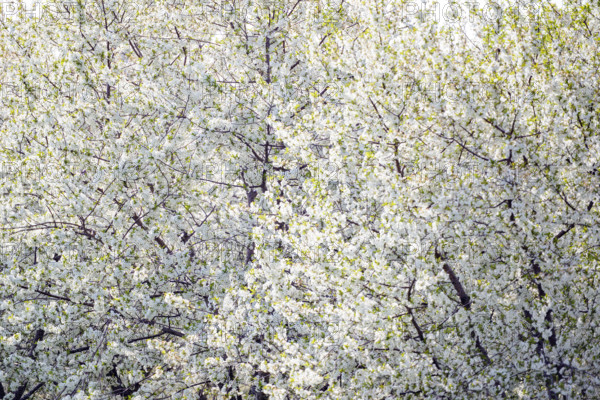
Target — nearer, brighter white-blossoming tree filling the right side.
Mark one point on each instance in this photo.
(455, 254)
